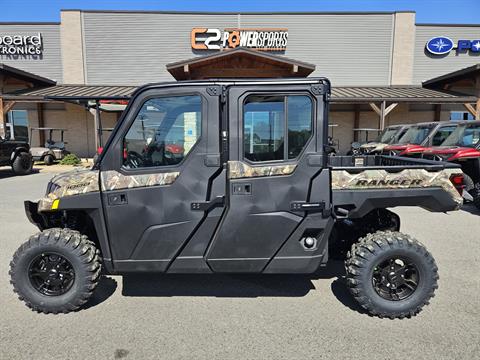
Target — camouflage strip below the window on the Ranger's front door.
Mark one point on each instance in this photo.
(113, 180)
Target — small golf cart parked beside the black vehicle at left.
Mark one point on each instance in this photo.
(53, 150)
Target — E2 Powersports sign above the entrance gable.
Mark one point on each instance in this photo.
(259, 39)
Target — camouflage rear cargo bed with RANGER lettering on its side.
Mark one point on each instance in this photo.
(363, 183)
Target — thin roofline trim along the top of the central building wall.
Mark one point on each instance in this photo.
(243, 12)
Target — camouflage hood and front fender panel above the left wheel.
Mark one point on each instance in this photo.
(71, 183)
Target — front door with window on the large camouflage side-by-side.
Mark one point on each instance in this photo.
(163, 158)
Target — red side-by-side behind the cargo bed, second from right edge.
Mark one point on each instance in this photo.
(421, 136)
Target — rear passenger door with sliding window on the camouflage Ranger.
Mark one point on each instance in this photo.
(275, 144)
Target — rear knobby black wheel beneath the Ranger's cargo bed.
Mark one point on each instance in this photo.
(390, 274)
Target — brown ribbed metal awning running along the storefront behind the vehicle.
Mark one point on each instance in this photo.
(341, 94)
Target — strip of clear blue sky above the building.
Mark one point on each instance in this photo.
(428, 11)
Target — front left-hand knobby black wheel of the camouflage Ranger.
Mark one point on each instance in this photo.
(55, 271)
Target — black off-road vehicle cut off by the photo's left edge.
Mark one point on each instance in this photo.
(16, 154)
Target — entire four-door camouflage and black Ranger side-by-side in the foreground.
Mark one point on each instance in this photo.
(253, 192)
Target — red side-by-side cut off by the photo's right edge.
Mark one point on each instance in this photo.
(462, 147)
